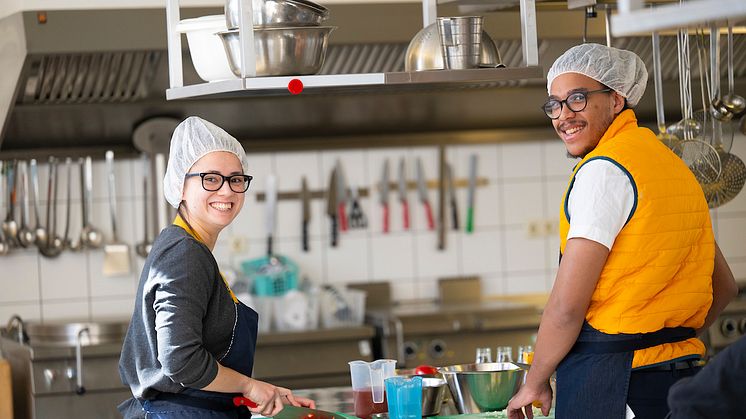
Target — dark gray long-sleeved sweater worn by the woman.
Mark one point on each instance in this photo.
(183, 320)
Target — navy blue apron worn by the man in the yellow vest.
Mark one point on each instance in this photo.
(593, 379)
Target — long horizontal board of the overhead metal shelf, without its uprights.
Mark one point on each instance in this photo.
(369, 82)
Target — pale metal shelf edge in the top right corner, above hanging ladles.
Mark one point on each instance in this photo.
(674, 16)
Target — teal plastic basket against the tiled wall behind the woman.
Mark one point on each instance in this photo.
(271, 276)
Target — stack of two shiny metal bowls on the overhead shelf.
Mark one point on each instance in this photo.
(288, 36)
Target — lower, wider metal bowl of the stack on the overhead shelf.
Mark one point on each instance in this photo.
(281, 51)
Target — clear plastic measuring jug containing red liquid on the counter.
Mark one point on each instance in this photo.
(368, 387)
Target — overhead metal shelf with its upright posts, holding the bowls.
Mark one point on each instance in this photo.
(249, 85)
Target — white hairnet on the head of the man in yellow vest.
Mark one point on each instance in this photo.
(620, 70)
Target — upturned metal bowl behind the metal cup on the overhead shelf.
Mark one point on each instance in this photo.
(426, 53)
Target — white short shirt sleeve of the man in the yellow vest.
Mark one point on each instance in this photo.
(600, 202)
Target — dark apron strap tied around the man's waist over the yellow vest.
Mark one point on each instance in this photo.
(630, 343)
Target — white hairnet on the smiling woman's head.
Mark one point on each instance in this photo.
(193, 138)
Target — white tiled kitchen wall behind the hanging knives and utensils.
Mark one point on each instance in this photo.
(513, 248)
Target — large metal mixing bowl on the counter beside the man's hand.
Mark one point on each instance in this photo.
(478, 388)
